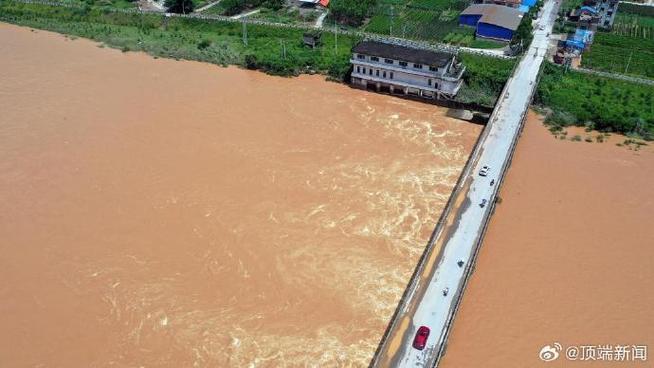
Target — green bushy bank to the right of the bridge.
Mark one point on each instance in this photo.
(604, 104)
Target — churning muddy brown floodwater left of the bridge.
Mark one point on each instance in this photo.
(158, 213)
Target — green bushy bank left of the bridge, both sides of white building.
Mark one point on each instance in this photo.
(274, 50)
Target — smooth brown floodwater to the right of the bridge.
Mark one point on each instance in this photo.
(568, 257)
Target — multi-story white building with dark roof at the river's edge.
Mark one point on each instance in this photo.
(406, 70)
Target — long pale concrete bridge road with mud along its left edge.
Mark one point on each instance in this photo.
(463, 226)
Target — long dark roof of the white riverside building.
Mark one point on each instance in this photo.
(404, 53)
